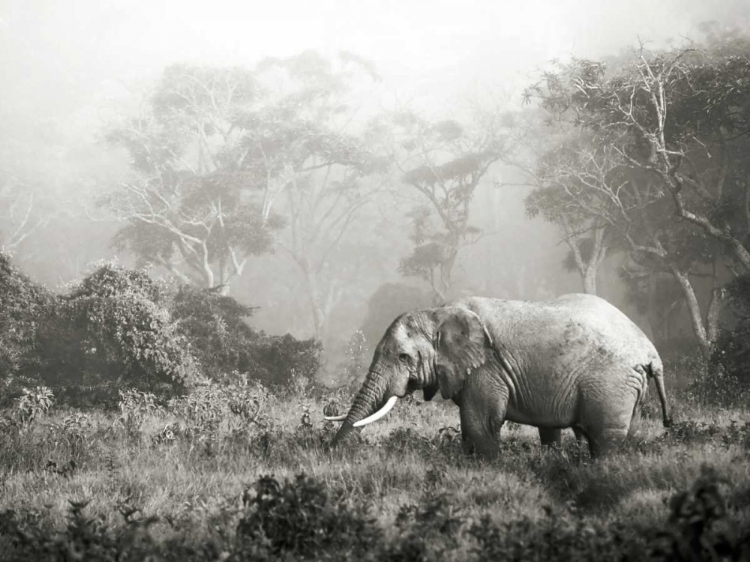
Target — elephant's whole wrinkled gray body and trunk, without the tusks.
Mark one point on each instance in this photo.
(575, 361)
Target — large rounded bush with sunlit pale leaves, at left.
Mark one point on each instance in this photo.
(115, 326)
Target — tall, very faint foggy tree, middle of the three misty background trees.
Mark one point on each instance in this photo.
(305, 142)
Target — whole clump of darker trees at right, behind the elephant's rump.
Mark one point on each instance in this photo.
(644, 162)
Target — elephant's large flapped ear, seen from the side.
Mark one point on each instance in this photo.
(462, 345)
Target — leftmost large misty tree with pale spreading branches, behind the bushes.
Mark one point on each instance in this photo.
(192, 204)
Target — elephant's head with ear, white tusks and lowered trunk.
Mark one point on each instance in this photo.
(422, 350)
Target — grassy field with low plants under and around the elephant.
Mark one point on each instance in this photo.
(240, 474)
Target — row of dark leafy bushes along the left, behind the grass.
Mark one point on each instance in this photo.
(118, 329)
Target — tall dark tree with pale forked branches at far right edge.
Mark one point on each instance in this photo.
(675, 124)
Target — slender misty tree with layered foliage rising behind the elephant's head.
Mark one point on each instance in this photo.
(444, 162)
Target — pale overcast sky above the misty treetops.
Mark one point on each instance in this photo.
(423, 48)
